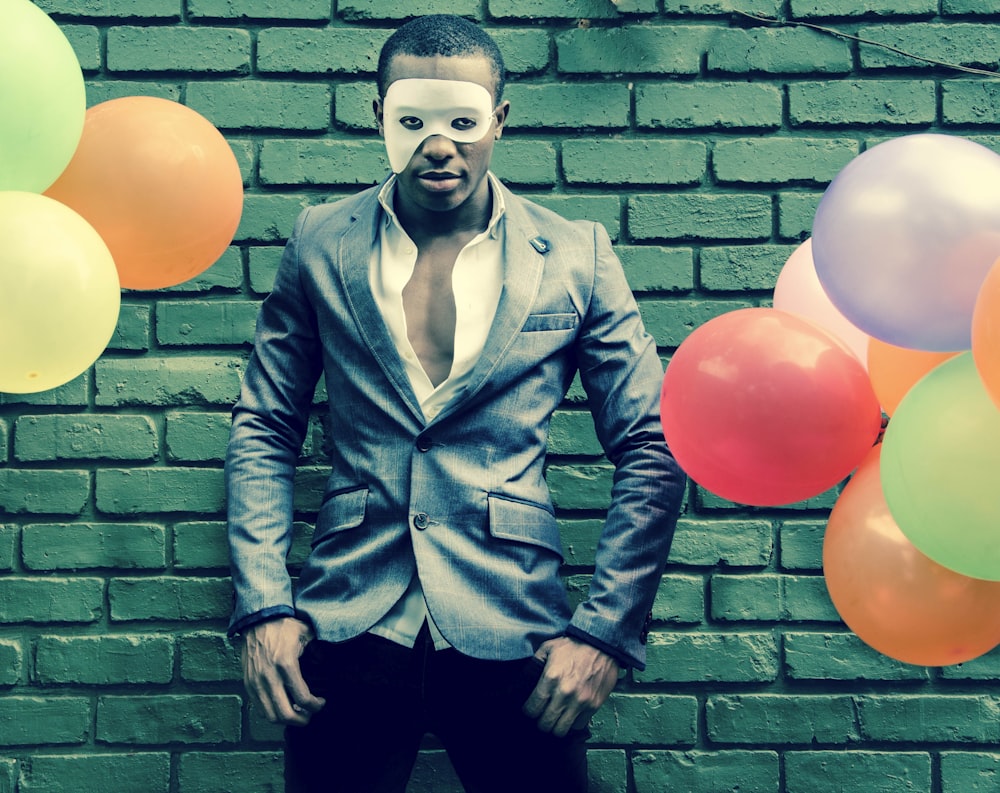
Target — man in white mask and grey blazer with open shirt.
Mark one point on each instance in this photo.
(449, 318)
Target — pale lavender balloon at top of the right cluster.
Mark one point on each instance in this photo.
(904, 236)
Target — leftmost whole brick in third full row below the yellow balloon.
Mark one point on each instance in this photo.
(75, 546)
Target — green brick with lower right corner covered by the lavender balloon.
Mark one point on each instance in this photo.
(781, 160)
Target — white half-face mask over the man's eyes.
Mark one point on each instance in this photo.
(417, 108)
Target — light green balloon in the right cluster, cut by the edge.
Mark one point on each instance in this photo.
(939, 469)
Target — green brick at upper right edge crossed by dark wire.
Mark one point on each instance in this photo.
(964, 44)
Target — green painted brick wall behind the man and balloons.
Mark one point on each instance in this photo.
(703, 140)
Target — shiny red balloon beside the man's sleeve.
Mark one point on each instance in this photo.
(764, 407)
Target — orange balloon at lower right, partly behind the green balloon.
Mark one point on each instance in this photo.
(893, 597)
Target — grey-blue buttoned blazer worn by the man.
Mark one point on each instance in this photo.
(461, 499)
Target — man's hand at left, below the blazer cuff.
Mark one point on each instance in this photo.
(270, 658)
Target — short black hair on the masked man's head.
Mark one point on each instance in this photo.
(441, 34)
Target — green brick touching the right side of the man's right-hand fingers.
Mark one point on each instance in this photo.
(647, 719)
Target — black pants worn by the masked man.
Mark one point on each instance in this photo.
(381, 699)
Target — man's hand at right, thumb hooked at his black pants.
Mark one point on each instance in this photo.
(576, 681)
